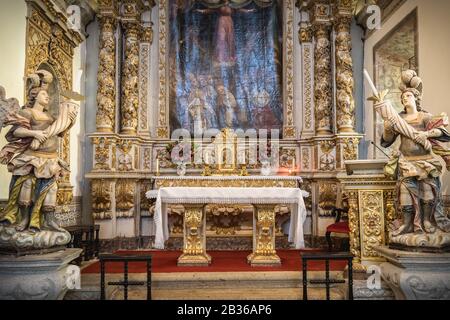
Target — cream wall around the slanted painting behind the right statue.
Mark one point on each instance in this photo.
(434, 59)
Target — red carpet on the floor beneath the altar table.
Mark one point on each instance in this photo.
(222, 261)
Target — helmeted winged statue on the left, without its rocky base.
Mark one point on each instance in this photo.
(31, 155)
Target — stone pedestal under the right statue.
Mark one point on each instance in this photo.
(416, 275)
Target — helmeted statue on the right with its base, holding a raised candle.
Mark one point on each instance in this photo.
(417, 166)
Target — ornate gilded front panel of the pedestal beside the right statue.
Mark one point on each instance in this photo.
(372, 222)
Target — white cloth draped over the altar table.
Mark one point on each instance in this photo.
(202, 195)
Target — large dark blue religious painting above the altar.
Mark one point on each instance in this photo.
(225, 65)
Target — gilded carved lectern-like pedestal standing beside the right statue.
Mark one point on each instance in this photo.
(371, 198)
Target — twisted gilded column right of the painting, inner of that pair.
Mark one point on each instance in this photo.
(323, 89)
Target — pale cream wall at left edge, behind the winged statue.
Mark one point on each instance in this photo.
(12, 64)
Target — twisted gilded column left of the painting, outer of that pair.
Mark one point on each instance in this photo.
(106, 78)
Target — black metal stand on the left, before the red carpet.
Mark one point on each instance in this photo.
(126, 259)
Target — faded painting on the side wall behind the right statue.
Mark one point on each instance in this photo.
(393, 54)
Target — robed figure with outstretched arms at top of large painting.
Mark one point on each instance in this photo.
(225, 48)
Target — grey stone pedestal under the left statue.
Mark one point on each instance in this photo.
(36, 277)
